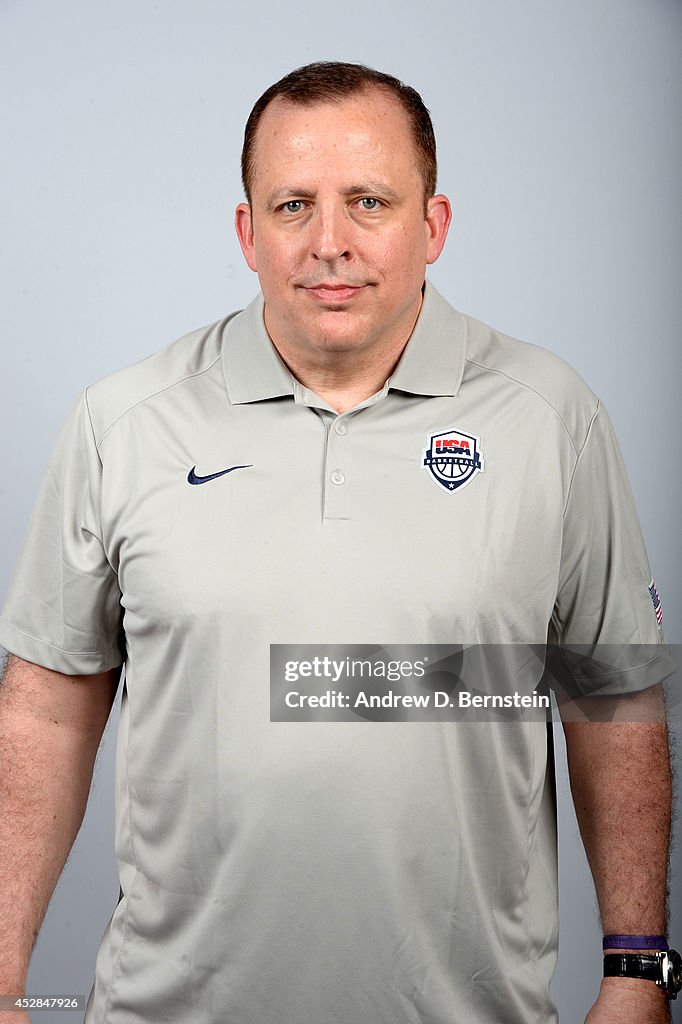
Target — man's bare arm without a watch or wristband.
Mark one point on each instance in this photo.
(51, 728)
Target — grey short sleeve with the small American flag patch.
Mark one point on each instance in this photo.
(607, 619)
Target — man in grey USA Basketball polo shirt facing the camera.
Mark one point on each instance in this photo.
(287, 477)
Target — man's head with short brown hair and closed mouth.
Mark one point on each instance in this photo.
(337, 226)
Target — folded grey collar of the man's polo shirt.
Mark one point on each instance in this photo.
(432, 363)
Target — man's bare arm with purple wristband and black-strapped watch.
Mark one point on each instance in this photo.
(622, 788)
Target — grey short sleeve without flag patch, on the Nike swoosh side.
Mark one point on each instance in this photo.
(63, 611)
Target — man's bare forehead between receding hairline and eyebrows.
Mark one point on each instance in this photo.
(369, 132)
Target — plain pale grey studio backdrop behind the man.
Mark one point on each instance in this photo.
(560, 147)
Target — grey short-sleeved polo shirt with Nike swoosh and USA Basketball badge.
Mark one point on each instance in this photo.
(368, 873)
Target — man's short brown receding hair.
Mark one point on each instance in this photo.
(332, 81)
